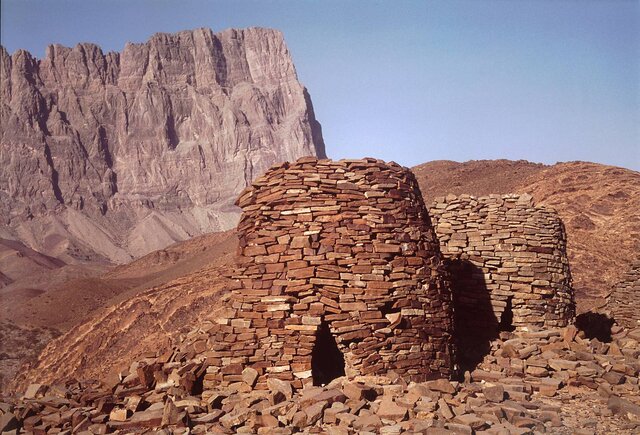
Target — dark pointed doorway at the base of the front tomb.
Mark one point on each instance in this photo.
(327, 362)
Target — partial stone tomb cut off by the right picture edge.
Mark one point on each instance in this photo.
(623, 301)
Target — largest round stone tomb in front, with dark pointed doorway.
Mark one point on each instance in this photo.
(340, 275)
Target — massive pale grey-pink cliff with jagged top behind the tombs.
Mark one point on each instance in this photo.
(110, 156)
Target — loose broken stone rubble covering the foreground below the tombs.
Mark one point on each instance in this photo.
(542, 381)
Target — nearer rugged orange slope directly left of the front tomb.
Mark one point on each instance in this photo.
(125, 331)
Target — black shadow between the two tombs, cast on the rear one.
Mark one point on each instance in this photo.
(475, 324)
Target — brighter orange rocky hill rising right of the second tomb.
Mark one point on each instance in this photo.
(600, 206)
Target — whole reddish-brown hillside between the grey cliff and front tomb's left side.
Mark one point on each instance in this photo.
(34, 309)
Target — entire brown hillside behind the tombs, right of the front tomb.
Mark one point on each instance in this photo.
(599, 204)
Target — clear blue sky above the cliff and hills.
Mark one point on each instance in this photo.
(414, 81)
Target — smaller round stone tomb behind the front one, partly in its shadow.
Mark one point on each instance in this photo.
(506, 254)
